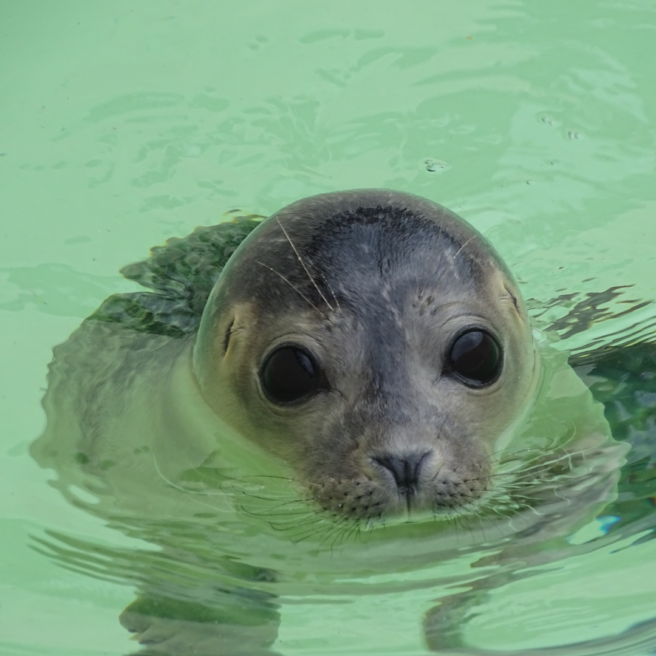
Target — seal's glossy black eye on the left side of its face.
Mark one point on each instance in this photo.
(289, 374)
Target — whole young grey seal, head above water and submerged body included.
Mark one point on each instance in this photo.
(358, 359)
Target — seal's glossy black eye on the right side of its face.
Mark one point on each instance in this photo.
(476, 358)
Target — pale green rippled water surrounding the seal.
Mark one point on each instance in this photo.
(122, 124)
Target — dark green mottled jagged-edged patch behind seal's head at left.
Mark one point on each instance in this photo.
(181, 275)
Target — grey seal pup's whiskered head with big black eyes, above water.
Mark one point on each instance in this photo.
(378, 344)
